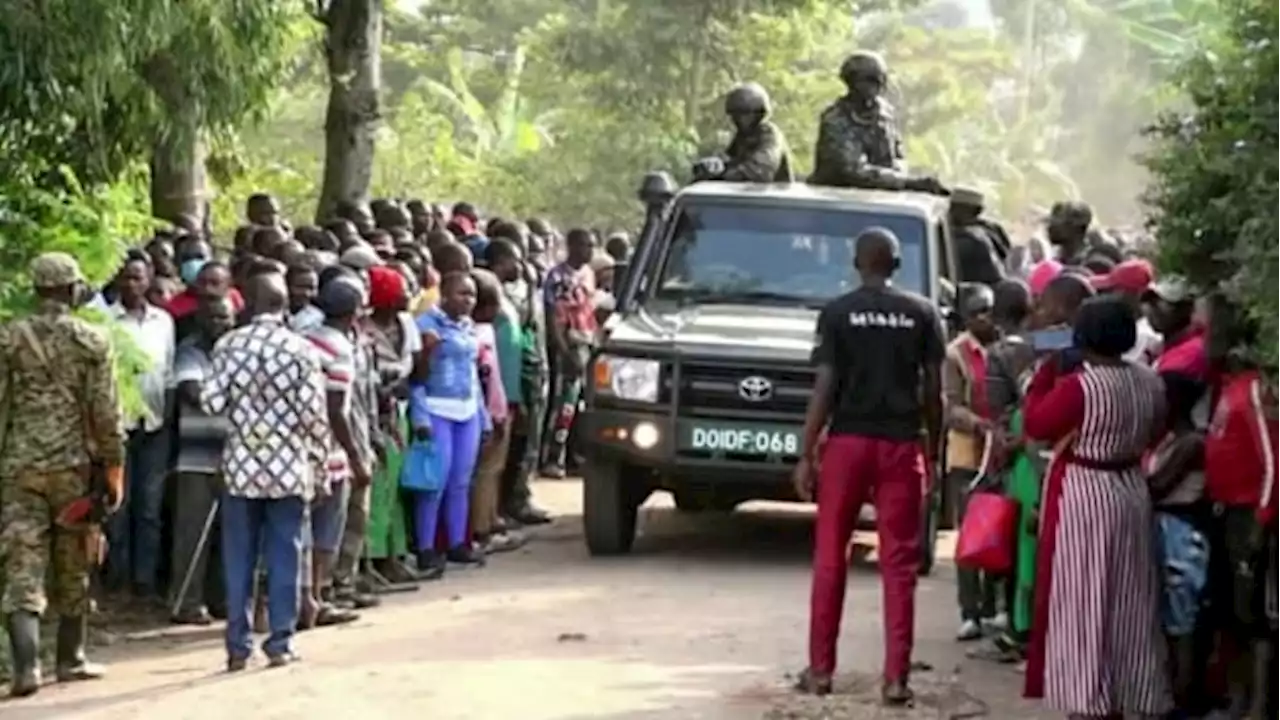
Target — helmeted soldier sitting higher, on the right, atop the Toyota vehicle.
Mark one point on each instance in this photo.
(858, 143)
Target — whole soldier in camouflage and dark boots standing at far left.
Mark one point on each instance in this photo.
(60, 418)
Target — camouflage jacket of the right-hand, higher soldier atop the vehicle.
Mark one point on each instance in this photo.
(858, 151)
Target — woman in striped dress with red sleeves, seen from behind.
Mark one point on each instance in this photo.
(1096, 648)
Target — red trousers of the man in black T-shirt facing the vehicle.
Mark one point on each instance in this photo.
(890, 475)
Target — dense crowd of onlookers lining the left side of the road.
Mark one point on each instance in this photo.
(326, 414)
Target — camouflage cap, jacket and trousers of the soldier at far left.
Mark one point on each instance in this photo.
(48, 440)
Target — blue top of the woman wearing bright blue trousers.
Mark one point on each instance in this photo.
(452, 388)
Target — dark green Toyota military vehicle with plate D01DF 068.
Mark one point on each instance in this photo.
(701, 385)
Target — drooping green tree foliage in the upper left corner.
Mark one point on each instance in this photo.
(94, 84)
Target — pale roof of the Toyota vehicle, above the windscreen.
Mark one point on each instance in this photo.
(806, 194)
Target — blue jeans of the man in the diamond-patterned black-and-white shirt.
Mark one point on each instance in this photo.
(276, 528)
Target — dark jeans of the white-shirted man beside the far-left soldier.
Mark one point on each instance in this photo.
(134, 534)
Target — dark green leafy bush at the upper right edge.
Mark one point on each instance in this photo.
(1217, 170)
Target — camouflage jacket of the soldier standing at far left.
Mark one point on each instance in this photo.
(60, 407)
